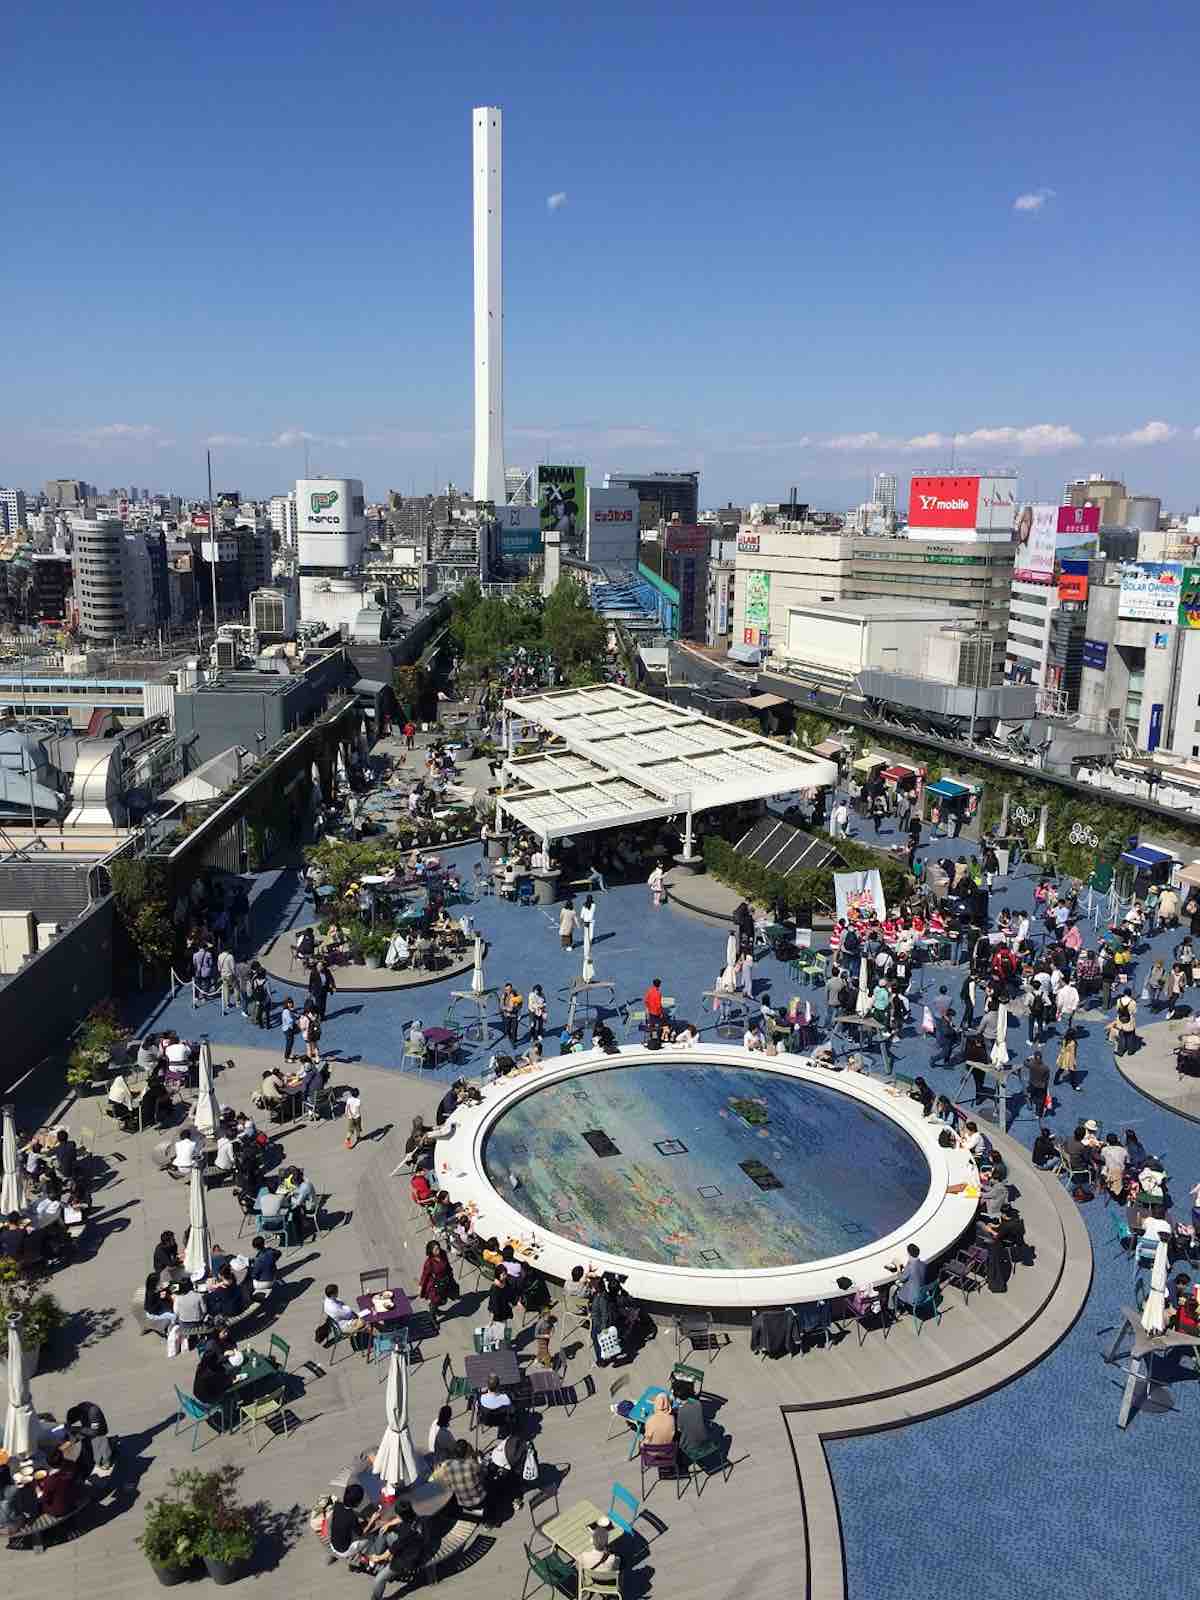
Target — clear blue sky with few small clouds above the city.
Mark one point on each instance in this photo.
(793, 247)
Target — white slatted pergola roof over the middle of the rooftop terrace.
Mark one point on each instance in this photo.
(625, 758)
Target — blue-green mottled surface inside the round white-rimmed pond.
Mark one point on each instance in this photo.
(706, 1166)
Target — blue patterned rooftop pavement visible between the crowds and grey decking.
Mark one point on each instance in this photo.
(1001, 1498)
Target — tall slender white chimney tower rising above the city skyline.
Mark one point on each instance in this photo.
(489, 306)
